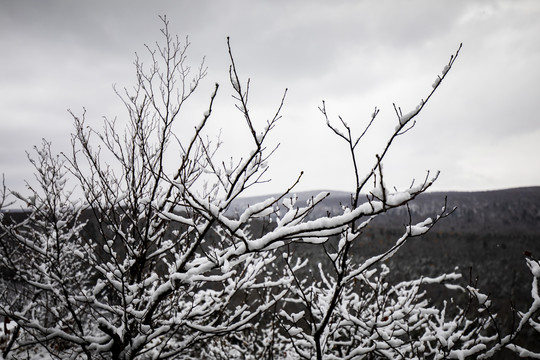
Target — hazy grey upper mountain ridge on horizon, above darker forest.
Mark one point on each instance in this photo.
(497, 211)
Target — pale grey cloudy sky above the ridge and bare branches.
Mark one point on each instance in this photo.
(481, 129)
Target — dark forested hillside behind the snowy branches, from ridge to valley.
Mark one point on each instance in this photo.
(485, 238)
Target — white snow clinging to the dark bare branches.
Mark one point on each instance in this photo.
(199, 292)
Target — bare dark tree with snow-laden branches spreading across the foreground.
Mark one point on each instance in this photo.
(172, 272)
